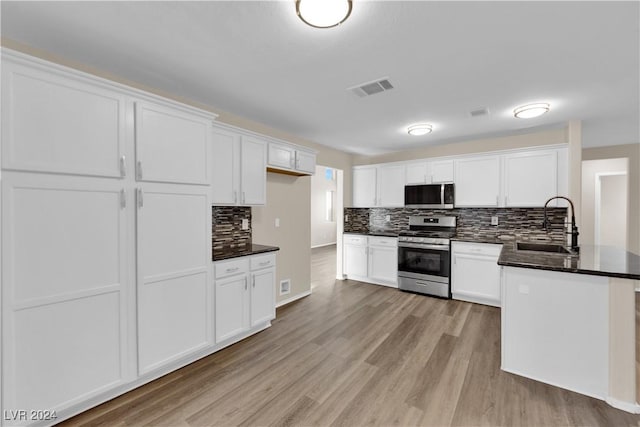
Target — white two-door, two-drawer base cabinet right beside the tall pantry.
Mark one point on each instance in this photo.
(244, 294)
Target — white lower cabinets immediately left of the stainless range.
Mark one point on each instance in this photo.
(371, 259)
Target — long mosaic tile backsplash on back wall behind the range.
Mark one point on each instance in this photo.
(517, 223)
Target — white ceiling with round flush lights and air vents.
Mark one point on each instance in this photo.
(259, 61)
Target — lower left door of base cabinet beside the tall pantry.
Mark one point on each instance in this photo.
(232, 307)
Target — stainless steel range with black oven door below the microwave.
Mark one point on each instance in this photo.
(424, 262)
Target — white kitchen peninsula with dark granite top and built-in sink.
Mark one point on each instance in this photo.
(569, 320)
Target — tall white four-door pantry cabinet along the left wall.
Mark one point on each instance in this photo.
(106, 227)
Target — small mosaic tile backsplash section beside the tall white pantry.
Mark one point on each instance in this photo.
(227, 232)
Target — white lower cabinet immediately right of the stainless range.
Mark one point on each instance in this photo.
(475, 273)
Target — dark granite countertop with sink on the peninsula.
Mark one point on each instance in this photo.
(594, 260)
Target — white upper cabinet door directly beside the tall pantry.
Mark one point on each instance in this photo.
(225, 162)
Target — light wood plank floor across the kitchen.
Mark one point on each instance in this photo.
(358, 354)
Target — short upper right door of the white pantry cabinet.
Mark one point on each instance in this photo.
(171, 145)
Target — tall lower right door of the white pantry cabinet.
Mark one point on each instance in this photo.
(174, 259)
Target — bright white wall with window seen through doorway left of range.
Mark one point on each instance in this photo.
(323, 232)
